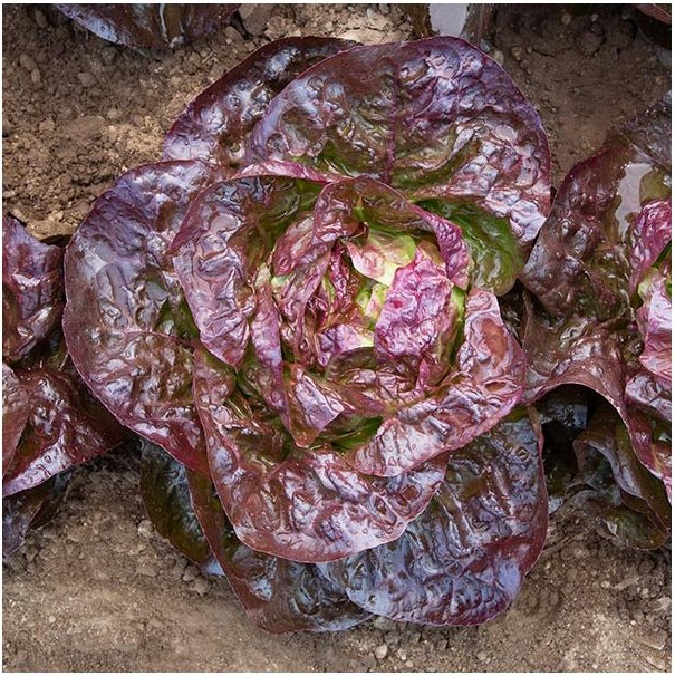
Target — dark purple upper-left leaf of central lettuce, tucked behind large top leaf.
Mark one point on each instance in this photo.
(216, 125)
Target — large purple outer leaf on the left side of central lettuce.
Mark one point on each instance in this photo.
(127, 324)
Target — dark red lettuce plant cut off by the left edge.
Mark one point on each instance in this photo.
(50, 422)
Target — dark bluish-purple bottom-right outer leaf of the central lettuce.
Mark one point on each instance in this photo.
(463, 560)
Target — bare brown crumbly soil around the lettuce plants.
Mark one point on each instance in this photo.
(98, 589)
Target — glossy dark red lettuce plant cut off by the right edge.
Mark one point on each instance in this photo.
(601, 272)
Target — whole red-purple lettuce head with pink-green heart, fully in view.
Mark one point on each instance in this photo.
(299, 306)
